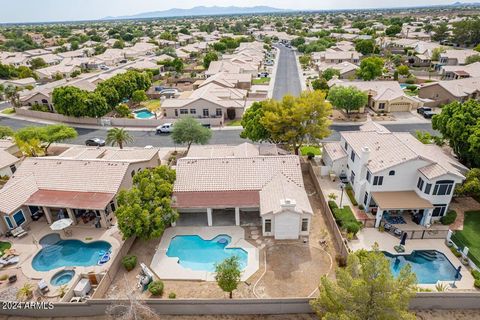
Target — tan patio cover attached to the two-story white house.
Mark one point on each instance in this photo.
(398, 200)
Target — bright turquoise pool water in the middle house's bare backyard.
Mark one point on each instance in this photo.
(198, 254)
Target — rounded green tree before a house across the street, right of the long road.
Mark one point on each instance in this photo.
(347, 99)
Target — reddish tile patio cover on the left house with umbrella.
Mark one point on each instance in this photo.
(70, 199)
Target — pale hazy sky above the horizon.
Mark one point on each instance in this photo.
(69, 10)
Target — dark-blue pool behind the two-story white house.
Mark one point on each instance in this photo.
(430, 266)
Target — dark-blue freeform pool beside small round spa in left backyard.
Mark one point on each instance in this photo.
(57, 253)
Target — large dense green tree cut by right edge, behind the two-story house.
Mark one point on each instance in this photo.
(459, 123)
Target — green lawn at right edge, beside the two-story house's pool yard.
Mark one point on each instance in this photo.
(470, 235)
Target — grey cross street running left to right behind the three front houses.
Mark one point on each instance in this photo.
(219, 136)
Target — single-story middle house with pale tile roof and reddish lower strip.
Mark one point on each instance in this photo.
(240, 184)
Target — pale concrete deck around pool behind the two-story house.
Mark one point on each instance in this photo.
(367, 237)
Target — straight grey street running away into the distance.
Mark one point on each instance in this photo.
(287, 79)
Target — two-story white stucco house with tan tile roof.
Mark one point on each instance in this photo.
(394, 173)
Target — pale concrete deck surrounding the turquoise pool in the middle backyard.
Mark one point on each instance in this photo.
(168, 268)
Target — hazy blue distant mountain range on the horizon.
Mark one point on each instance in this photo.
(201, 11)
